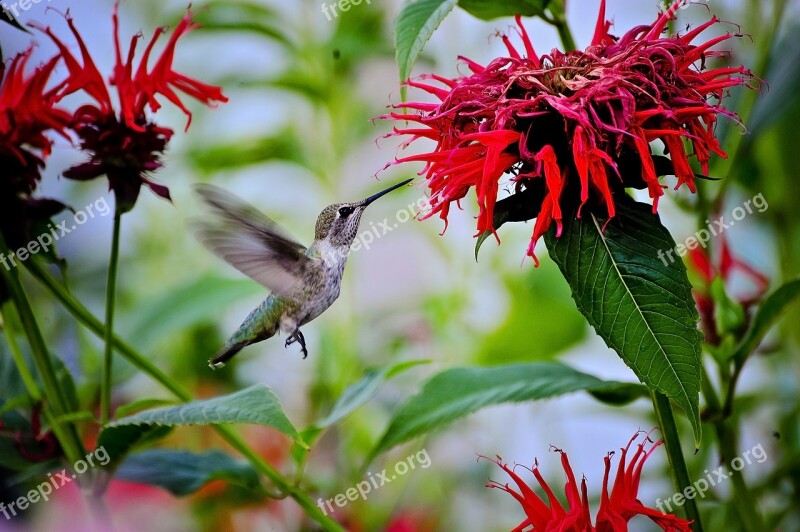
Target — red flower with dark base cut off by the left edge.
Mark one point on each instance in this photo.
(28, 114)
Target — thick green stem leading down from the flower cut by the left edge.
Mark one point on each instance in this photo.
(56, 403)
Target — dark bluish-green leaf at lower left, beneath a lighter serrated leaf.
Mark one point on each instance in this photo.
(183, 472)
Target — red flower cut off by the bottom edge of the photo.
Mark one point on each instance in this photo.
(615, 510)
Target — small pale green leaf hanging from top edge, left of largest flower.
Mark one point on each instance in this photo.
(417, 21)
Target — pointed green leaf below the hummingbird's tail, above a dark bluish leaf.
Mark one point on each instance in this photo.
(256, 404)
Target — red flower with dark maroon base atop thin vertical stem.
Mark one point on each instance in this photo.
(124, 144)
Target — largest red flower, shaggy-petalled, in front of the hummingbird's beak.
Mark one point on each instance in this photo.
(573, 126)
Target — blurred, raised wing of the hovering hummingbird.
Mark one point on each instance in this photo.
(250, 242)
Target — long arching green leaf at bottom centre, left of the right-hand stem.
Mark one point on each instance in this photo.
(455, 393)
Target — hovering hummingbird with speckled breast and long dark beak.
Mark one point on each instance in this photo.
(303, 282)
